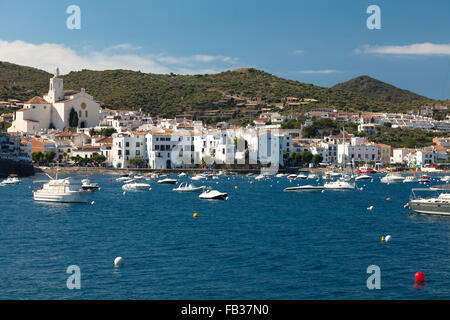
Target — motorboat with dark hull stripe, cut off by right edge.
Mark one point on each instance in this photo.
(436, 205)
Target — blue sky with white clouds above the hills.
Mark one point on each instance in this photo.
(320, 42)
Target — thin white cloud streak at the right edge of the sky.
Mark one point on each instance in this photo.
(426, 48)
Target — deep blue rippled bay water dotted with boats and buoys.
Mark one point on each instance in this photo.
(262, 243)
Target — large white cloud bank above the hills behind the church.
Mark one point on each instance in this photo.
(47, 56)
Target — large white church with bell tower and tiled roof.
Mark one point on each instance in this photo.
(53, 111)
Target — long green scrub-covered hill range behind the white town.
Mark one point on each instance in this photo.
(170, 94)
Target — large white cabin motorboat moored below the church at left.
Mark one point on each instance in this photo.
(62, 190)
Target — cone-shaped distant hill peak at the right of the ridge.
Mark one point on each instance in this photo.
(376, 89)
